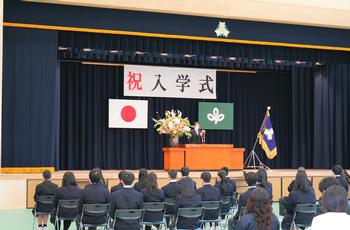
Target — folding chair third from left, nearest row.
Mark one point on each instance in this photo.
(96, 210)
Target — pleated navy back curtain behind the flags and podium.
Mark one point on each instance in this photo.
(86, 141)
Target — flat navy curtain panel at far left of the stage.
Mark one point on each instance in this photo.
(30, 107)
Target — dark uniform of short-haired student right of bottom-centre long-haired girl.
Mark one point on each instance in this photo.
(209, 193)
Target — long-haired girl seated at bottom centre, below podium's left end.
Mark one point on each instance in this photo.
(188, 198)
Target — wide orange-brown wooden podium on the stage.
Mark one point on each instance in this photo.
(203, 157)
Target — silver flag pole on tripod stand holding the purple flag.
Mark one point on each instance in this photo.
(252, 159)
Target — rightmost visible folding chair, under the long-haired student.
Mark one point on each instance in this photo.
(308, 210)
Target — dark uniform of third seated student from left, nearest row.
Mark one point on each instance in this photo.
(93, 194)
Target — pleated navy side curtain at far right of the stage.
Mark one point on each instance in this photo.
(332, 112)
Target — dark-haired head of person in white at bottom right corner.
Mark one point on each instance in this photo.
(334, 199)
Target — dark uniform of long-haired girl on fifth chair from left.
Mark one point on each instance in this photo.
(158, 196)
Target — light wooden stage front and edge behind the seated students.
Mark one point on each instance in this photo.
(17, 190)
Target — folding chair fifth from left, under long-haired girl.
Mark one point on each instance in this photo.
(154, 207)
